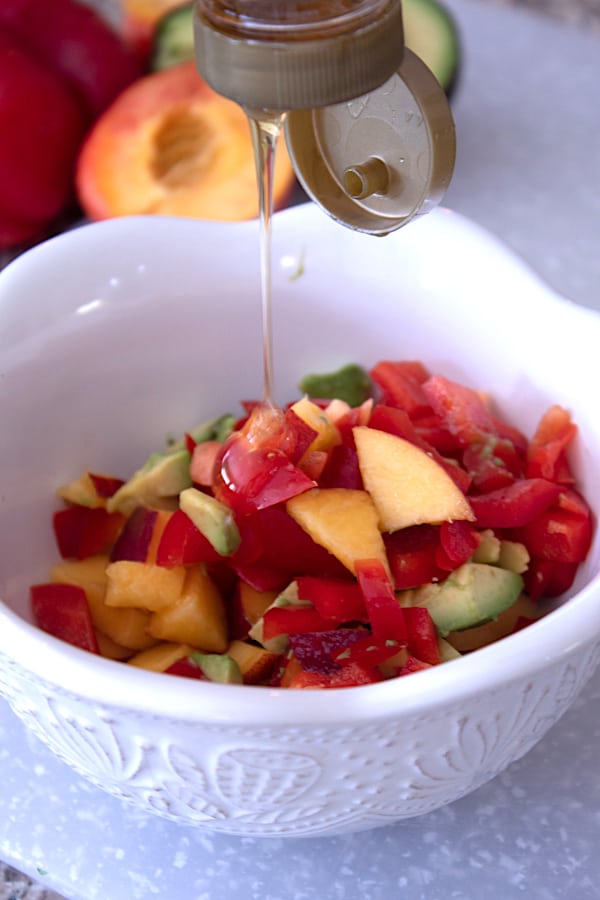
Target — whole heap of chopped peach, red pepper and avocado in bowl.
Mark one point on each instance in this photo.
(386, 522)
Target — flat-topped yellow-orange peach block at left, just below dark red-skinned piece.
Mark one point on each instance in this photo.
(143, 586)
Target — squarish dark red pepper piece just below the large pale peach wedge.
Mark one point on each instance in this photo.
(412, 555)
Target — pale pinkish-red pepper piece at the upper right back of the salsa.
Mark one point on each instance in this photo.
(461, 409)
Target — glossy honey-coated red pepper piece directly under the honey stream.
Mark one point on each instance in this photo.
(250, 479)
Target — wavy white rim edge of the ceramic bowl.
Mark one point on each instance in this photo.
(561, 633)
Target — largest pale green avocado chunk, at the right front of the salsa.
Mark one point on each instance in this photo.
(471, 595)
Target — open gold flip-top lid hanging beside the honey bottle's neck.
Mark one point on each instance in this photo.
(376, 162)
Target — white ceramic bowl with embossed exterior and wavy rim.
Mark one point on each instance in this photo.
(118, 333)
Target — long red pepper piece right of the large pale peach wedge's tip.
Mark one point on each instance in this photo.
(515, 505)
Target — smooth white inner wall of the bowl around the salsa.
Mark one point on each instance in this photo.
(118, 334)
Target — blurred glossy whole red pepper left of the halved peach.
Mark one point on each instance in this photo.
(61, 65)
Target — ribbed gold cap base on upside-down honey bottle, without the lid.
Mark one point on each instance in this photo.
(296, 56)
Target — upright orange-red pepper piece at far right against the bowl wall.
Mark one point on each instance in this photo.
(546, 454)
